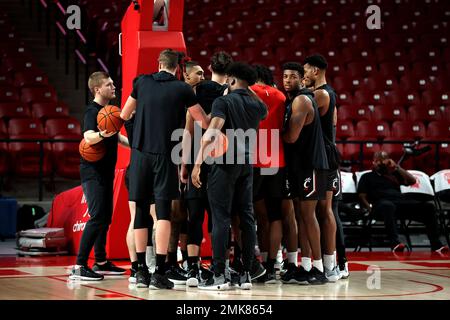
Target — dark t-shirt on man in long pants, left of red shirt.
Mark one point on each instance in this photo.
(240, 111)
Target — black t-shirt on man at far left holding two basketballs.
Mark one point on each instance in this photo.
(104, 168)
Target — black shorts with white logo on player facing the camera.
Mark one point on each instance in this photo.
(309, 184)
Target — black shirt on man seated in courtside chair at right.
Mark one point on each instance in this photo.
(381, 187)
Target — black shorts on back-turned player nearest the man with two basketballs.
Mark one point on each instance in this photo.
(152, 174)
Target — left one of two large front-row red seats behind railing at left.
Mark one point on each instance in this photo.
(25, 155)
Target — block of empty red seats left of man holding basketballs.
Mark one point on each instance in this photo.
(29, 111)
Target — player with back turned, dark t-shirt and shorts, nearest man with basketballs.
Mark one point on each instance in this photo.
(160, 101)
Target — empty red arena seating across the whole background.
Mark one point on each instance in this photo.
(391, 84)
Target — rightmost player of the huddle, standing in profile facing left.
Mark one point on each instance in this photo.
(315, 69)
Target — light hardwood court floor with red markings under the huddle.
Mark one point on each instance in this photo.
(409, 276)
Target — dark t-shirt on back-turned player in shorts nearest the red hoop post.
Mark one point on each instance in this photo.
(162, 102)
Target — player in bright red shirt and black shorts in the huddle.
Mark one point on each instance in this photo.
(269, 174)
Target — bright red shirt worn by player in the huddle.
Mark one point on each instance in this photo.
(274, 100)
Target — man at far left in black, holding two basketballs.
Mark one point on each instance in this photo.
(97, 183)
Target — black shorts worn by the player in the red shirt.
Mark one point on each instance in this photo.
(269, 183)
